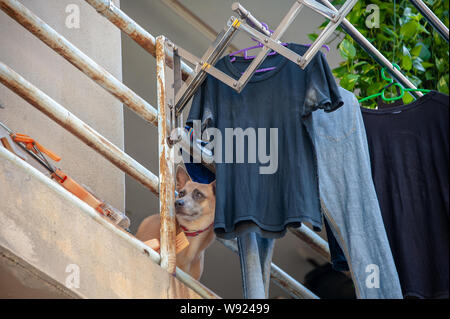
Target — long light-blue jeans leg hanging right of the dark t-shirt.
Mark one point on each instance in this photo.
(348, 199)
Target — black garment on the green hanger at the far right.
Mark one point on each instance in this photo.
(409, 153)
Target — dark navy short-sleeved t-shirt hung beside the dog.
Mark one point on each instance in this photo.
(273, 102)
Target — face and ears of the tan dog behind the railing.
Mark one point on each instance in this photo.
(195, 203)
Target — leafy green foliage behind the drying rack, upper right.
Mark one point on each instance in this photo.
(409, 40)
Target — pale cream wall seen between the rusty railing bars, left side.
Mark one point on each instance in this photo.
(47, 70)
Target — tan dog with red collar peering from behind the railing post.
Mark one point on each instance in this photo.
(194, 210)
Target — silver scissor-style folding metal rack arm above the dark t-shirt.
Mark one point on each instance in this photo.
(182, 93)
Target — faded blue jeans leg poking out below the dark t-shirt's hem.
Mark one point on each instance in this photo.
(255, 255)
